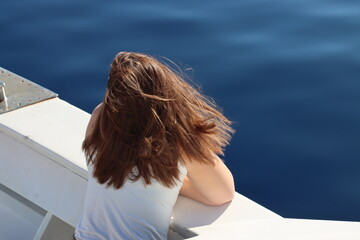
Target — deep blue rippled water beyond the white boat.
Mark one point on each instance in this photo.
(287, 72)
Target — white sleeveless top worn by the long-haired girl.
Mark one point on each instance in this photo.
(135, 211)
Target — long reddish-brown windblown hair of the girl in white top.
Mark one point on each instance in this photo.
(150, 118)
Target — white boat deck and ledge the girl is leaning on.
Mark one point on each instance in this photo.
(43, 181)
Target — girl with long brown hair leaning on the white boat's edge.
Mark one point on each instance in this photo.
(153, 136)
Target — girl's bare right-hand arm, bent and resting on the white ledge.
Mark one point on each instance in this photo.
(209, 184)
